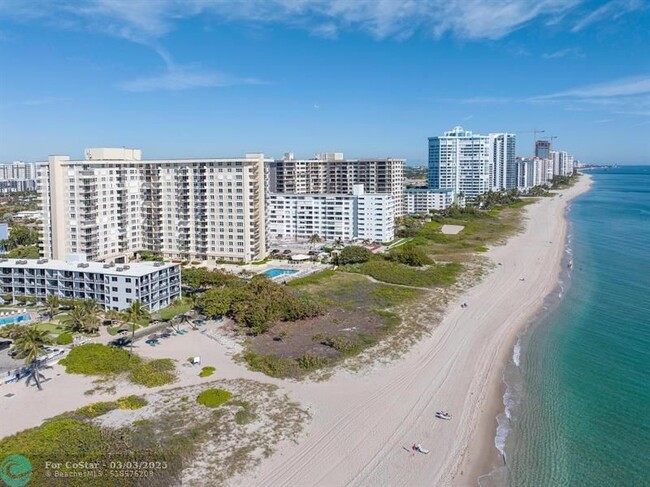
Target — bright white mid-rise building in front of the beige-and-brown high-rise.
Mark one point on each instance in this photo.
(359, 215)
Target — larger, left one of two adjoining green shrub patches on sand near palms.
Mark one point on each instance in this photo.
(97, 359)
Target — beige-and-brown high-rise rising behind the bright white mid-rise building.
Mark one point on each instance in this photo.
(331, 173)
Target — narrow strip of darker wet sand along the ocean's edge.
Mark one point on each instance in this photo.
(489, 458)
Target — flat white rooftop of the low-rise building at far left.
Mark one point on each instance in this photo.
(136, 269)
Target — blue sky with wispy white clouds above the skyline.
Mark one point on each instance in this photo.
(201, 78)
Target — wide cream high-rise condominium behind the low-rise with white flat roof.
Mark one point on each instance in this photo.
(113, 204)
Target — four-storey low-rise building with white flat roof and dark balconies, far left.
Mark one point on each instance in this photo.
(155, 284)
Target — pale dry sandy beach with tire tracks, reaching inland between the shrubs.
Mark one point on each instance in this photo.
(363, 424)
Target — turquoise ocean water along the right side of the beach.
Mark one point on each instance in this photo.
(578, 388)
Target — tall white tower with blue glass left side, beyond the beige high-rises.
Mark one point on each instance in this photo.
(460, 160)
